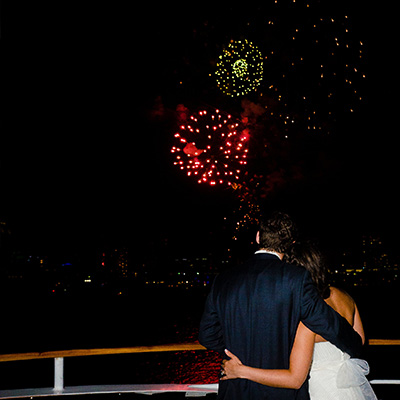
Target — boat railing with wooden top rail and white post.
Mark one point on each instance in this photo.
(190, 390)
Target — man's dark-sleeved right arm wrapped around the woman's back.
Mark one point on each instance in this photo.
(326, 322)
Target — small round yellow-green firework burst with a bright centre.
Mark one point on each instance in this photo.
(240, 68)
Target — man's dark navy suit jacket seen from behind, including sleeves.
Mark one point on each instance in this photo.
(254, 311)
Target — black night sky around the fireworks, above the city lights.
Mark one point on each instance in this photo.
(90, 91)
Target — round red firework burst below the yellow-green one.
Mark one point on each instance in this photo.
(211, 148)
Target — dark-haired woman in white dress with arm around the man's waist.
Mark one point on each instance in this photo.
(333, 375)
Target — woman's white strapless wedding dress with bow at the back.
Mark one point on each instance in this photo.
(336, 376)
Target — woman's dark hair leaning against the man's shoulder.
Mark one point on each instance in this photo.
(307, 255)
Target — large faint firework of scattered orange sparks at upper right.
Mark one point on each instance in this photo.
(315, 65)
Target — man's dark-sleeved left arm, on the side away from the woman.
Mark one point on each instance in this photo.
(210, 332)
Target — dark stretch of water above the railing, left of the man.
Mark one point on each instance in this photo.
(145, 317)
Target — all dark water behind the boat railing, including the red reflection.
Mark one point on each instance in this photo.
(147, 318)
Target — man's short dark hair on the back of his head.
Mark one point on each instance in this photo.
(277, 232)
